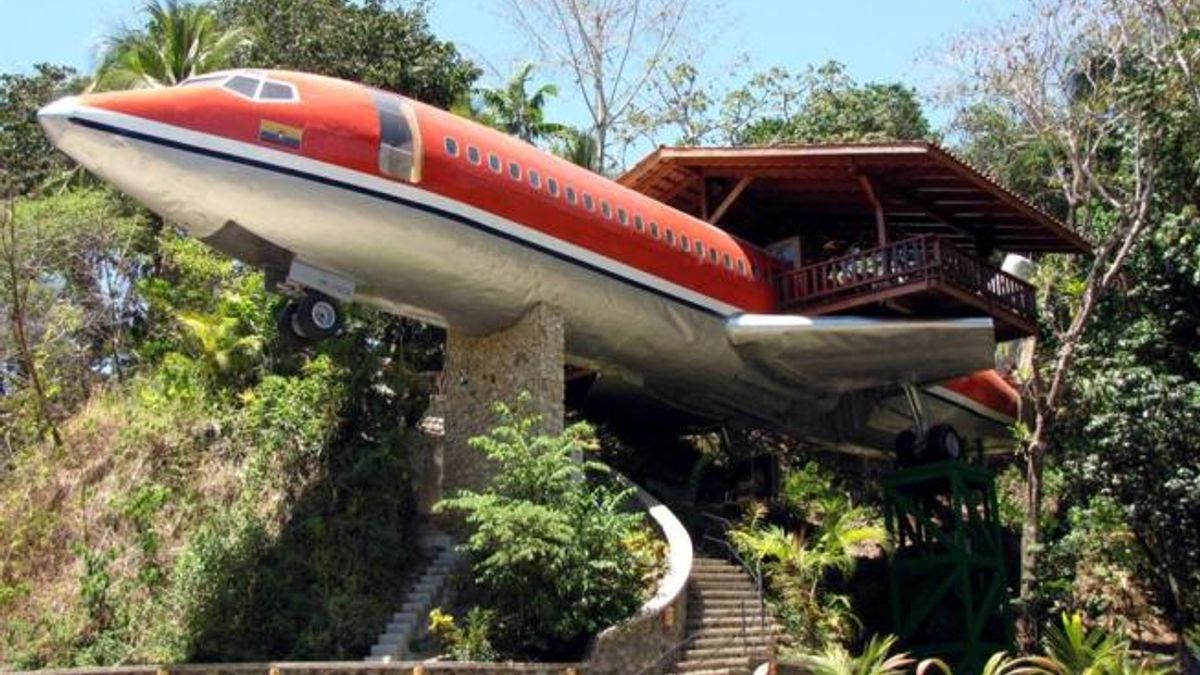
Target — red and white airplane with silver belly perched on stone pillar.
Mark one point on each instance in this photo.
(343, 193)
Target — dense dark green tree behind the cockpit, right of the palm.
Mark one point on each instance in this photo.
(377, 43)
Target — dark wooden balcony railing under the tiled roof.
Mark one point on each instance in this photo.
(921, 261)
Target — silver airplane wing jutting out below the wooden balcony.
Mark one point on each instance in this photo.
(845, 354)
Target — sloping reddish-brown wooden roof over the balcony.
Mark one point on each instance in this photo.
(922, 188)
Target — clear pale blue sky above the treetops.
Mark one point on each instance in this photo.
(879, 40)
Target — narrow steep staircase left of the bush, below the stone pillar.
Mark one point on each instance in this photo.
(411, 622)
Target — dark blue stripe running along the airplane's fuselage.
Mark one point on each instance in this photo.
(397, 200)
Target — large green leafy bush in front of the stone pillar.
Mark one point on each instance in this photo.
(551, 549)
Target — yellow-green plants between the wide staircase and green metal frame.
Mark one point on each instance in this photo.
(807, 564)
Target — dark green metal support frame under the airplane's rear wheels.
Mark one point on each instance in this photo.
(947, 584)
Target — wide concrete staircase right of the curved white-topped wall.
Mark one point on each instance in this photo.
(727, 635)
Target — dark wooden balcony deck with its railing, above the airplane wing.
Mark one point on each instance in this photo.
(917, 277)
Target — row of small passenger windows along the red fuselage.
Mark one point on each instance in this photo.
(590, 204)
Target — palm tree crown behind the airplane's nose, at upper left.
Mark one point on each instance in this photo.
(181, 40)
